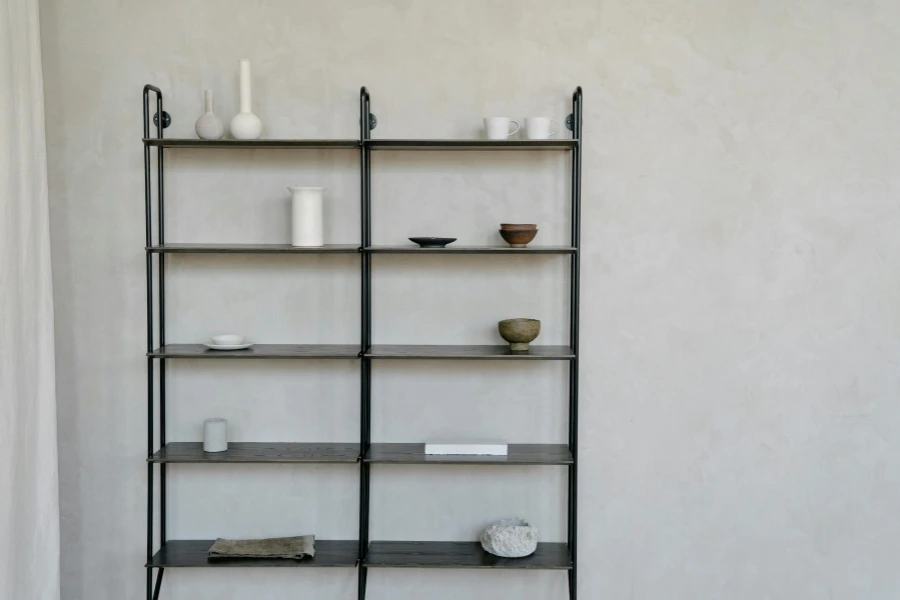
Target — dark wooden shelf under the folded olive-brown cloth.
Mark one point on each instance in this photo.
(193, 553)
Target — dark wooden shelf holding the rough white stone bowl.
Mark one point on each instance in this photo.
(462, 555)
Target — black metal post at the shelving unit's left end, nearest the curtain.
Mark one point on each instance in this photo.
(148, 234)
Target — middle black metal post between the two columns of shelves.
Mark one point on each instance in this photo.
(365, 336)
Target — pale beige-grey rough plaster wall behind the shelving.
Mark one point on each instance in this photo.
(740, 322)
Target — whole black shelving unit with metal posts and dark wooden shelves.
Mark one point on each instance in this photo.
(361, 553)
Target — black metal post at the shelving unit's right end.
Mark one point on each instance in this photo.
(573, 342)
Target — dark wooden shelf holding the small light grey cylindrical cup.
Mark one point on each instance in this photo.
(258, 452)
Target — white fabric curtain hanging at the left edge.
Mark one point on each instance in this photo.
(29, 498)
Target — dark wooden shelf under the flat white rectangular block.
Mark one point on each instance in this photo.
(519, 454)
